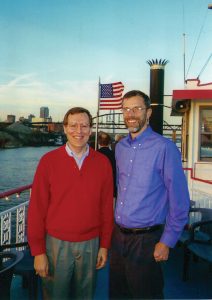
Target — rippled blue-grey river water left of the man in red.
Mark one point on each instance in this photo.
(17, 168)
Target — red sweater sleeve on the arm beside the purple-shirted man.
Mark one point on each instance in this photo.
(106, 207)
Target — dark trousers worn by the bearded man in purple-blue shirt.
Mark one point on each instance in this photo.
(134, 274)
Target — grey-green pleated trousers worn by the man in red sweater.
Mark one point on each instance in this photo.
(72, 269)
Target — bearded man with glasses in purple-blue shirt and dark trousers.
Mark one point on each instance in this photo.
(152, 204)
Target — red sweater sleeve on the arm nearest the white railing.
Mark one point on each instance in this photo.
(37, 210)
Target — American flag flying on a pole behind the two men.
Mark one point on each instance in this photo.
(111, 95)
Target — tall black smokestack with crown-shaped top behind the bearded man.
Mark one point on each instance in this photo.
(156, 93)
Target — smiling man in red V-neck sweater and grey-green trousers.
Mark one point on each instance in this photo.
(70, 216)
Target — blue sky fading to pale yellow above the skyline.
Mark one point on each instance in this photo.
(53, 52)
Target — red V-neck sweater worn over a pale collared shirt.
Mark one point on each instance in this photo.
(70, 204)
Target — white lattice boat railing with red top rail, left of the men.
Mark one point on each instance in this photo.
(13, 219)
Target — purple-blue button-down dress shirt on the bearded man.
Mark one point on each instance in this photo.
(152, 188)
